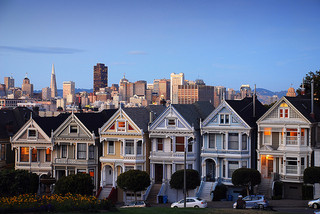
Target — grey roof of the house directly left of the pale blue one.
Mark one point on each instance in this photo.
(192, 113)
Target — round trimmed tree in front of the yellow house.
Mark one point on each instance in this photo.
(134, 181)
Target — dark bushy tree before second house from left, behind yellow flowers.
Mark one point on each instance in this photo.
(76, 184)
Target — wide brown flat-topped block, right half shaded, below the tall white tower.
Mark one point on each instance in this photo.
(189, 94)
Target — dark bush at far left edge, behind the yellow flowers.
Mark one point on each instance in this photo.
(15, 182)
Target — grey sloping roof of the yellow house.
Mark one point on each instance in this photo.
(141, 115)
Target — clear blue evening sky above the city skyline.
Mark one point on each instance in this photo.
(272, 44)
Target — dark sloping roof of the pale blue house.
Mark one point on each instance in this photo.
(244, 109)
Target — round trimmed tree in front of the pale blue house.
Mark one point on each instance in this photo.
(246, 177)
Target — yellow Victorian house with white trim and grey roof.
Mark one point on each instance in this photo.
(125, 145)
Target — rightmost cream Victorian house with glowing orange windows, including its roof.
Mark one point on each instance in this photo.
(286, 139)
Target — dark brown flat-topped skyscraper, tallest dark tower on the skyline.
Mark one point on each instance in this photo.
(100, 77)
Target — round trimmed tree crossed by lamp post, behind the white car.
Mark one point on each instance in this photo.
(193, 179)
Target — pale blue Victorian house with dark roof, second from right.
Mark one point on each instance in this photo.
(229, 136)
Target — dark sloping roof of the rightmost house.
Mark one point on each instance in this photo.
(303, 105)
